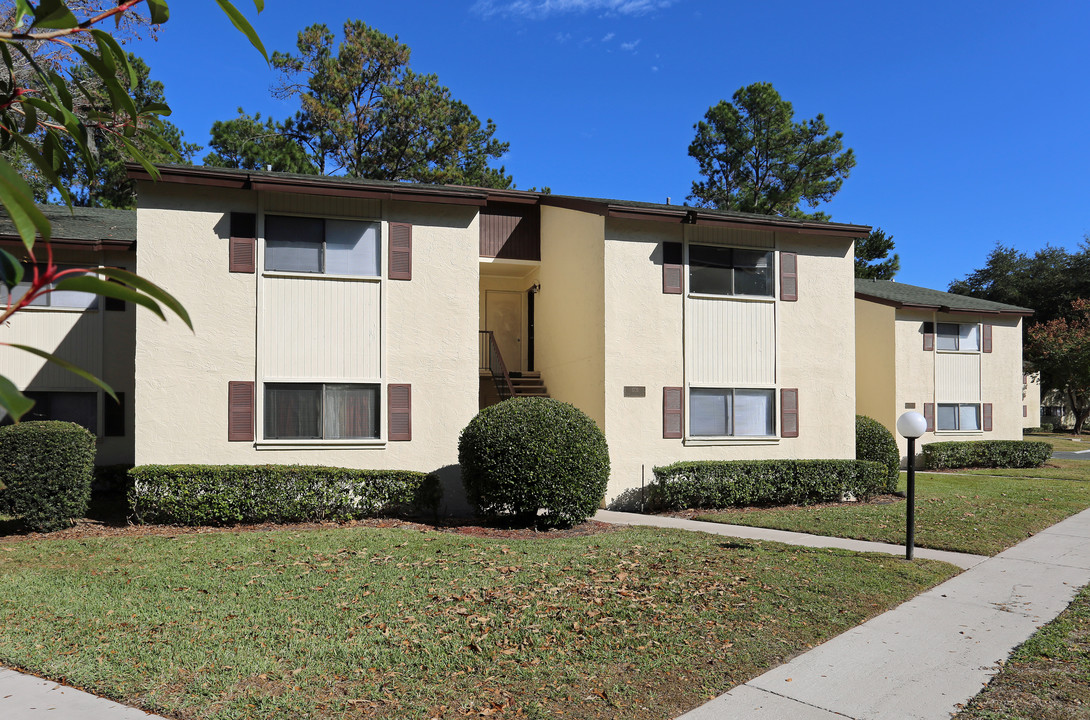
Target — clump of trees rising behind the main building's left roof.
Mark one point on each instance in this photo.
(366, 114)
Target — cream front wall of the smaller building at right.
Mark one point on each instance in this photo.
(1001, 375)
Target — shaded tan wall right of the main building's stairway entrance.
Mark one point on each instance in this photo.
(570, 349)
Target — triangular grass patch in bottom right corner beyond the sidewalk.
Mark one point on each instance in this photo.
(1048, 678)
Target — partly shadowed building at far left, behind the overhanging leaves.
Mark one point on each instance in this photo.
(95, 334)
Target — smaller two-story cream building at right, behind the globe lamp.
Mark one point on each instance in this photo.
(956, 360)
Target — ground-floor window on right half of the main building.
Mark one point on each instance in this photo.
(731, 412)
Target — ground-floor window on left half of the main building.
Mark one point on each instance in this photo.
(317, 411)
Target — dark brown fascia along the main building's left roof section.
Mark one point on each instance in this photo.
(320, 186)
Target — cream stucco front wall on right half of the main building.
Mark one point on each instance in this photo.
(645, 348)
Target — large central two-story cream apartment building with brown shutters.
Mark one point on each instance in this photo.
(348, 323)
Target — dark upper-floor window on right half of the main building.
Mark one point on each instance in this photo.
(717, 271)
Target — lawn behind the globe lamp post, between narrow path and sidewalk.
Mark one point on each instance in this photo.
(962, 512)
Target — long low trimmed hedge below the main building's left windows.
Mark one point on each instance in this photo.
(219, 495)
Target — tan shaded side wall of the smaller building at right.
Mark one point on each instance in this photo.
(876, 363)
